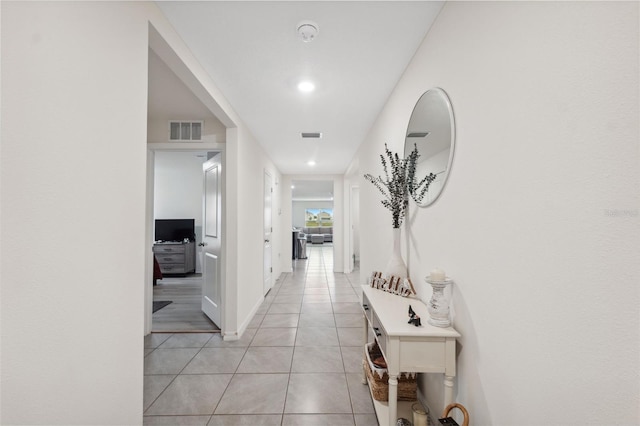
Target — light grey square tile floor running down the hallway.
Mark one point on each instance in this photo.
(298, 363)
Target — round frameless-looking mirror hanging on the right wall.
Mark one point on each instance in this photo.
(431, 131)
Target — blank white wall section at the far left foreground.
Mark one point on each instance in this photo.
(74, 82)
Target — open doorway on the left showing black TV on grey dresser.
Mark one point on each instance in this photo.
(178, 255)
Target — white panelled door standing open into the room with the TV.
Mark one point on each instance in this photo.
(212, 241)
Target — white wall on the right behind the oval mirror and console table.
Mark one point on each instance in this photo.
(539, 222)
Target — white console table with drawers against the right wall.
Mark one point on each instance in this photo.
(425, 349)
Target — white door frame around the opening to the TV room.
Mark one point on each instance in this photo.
(152, 148)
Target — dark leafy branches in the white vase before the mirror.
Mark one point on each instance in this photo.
(397, 186)
